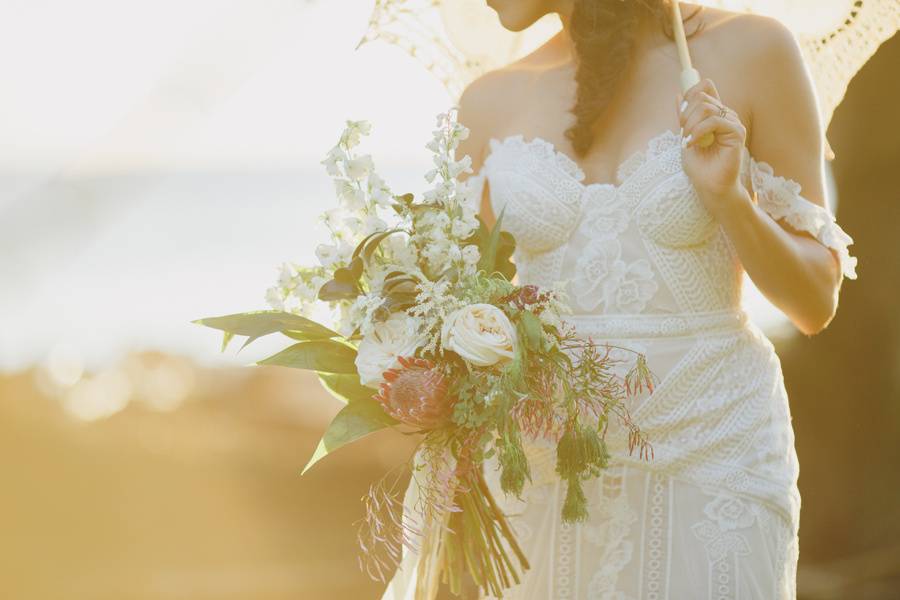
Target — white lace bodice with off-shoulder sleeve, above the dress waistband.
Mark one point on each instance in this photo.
(645, 244)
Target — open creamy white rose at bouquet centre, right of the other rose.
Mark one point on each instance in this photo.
(480, 333)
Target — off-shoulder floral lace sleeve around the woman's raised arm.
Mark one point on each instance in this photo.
(780, 197)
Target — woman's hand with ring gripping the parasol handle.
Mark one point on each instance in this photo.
(714, 170)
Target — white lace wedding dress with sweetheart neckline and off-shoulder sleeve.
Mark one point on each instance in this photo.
(715, 514)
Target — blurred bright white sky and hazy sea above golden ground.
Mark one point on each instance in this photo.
(159, 160)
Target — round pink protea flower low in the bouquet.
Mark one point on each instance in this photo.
(416, 394)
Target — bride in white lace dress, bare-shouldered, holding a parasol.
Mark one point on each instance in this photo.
(593, 152)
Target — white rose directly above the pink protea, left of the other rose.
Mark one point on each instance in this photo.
(378, 351)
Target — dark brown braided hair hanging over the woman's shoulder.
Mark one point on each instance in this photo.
(604, 33)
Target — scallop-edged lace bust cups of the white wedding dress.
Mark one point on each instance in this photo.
(546, 201)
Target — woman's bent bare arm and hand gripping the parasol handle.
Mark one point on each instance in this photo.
(796, 272)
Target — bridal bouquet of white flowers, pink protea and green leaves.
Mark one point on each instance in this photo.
(430, 335)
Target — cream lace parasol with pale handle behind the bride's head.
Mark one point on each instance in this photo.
(458, 40)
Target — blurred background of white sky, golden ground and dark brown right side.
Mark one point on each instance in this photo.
(158, 162)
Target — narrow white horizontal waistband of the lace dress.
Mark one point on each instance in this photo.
(650, 325)
